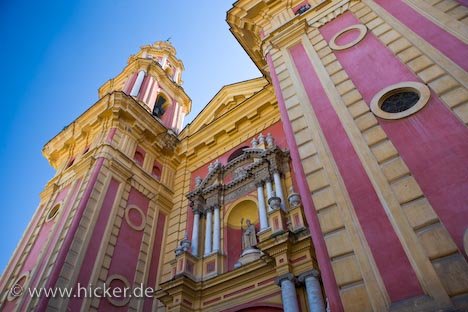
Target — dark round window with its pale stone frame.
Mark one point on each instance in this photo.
(400, 100)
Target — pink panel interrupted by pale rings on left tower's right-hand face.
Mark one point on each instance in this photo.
(127, 249)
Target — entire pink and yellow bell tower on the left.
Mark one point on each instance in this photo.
(101, 219)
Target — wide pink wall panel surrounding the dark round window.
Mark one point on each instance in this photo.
(433, 142)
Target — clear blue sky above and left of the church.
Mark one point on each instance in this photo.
(56, 54)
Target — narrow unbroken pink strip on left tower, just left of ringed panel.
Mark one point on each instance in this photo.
(95, 242)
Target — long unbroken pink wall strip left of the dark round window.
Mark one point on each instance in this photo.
(399, 278)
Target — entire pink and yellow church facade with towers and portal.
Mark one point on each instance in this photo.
(335, 182)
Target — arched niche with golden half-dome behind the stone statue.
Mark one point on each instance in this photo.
(239, 212)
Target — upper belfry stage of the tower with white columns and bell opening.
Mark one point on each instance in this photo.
(153, 77)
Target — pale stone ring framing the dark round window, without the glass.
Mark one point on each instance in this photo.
(422, 90)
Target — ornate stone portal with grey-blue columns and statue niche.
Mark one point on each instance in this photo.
(274, 241)
